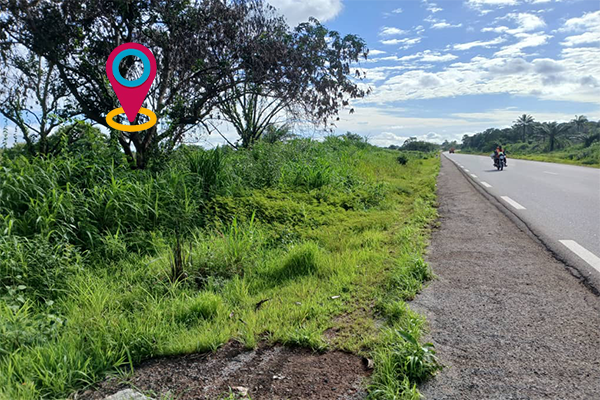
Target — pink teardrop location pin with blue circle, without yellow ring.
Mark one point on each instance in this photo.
(131, 94)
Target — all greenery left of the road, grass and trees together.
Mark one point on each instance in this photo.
(117, 247)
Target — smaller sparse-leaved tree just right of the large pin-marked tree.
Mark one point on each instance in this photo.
(310, 79)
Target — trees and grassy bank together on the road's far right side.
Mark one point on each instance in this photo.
(576, 142)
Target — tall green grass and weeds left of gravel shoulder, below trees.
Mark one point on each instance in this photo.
(102, 267)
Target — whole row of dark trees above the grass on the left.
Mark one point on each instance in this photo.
(218, 61)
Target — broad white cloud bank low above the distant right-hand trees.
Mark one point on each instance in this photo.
(575, 76)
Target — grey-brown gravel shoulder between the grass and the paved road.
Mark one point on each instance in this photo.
(508, 320)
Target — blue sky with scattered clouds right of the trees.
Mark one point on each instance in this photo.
(442, 69)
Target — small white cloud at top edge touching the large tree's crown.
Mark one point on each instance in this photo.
(297, 11)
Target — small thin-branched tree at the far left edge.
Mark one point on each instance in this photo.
(32, 98)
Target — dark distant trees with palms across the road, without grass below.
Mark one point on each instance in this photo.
(528, 135)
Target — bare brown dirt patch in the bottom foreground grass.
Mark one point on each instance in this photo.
(267, 372)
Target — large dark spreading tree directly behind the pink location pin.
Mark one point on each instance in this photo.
(203, 48)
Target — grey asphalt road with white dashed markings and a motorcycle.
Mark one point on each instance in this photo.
(559, 203)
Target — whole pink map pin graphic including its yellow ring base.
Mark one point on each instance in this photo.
(131, 93)
